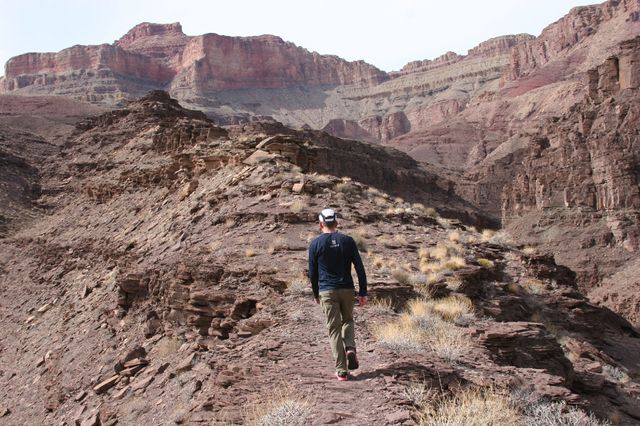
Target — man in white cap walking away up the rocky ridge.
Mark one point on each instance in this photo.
(330, 257)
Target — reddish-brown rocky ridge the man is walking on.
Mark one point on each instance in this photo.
(159, 278)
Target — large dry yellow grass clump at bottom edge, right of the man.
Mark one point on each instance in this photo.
(471, 407)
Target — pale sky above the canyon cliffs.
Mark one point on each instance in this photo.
(387, 34)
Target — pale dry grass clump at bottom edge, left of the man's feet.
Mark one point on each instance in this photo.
(280, 407)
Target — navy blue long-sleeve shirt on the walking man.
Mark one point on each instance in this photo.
(330, 259)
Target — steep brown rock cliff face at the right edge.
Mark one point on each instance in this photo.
(577, 189)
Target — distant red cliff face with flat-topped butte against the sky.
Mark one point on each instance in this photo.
(162, 56)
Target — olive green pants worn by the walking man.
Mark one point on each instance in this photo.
(337, 305)
